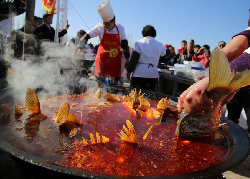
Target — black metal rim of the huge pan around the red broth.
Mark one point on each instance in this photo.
(39, 168)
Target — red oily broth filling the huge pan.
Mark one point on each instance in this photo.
(161, 153)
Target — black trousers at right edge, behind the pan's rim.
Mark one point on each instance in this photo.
(241, 100)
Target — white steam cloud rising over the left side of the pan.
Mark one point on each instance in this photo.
(55, 72)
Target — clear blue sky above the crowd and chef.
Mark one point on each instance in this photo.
(207, 22)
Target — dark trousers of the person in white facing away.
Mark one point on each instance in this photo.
(150, 84)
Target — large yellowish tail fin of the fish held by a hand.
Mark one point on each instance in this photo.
(220, 75)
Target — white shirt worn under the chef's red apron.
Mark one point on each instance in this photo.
(98, 31)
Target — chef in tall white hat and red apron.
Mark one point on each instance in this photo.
(112, 39)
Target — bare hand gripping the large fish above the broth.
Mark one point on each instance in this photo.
(195, 100)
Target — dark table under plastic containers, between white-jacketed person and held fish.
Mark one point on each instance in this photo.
(171, 84)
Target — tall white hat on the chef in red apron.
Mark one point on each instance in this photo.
(105, 10)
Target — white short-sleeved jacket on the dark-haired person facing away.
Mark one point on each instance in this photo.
(150, 51)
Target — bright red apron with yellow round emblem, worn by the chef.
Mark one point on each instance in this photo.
(108, 58)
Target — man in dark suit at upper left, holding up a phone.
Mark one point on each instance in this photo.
(45, 31)
